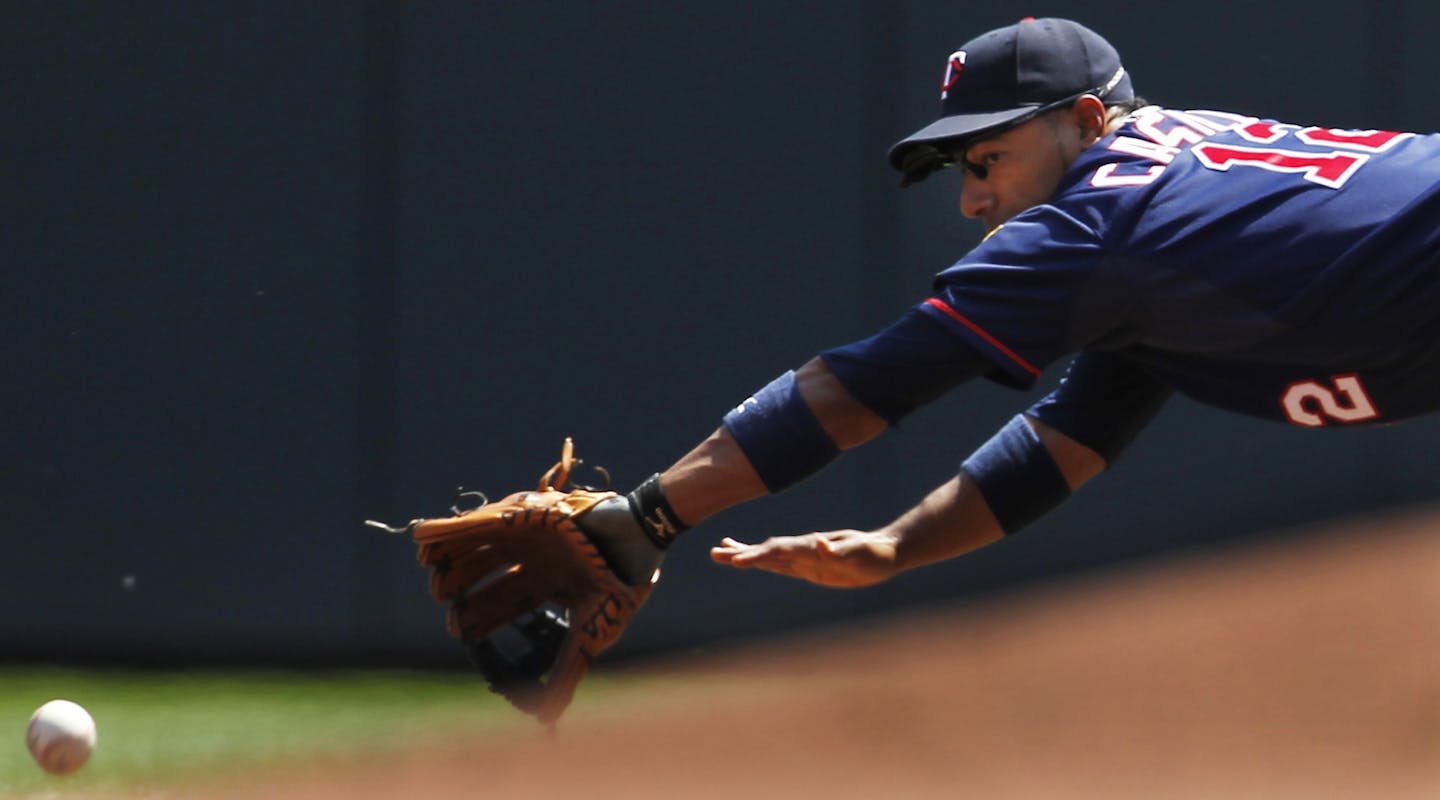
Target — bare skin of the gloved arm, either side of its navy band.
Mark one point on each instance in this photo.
(718, 476)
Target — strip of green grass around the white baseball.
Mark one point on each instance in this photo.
(163, 727)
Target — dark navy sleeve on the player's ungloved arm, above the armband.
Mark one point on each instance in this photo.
(1104, 402)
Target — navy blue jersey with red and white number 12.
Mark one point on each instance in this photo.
(1278, 271)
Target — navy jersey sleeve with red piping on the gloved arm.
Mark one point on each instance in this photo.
(1040, 288)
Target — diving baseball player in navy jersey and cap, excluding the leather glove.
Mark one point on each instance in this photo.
(1274, 270)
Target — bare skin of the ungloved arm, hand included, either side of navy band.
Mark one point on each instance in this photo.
(950, 522)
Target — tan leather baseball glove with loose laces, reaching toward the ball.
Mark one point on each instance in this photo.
(532, 594)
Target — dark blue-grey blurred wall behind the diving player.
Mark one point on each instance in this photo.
(277, 268)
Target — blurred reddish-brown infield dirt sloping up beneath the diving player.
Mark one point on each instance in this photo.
(1301, 668)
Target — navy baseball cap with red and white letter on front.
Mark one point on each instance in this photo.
(1012, 74)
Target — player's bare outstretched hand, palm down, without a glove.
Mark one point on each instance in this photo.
(836, 559)
